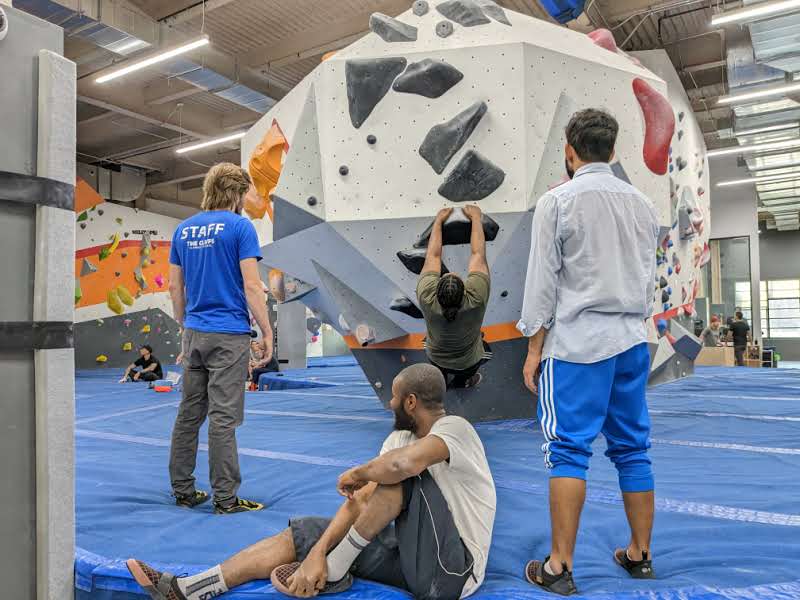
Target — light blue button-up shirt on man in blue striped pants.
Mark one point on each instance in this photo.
(592, 267)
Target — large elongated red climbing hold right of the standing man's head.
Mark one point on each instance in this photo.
(659, 122)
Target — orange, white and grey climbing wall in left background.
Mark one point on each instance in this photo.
(121, 285)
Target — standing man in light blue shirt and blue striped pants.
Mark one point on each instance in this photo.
(589, 289)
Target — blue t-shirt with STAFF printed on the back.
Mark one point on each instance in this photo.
(208, 248)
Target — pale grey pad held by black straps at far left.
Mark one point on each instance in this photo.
(54, 370)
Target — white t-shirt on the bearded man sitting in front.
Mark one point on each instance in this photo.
(466, 484)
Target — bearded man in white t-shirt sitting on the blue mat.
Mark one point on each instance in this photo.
(418, 517)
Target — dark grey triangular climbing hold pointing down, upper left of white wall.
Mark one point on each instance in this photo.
(368, 81)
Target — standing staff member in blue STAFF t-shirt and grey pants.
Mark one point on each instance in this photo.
(213, 280)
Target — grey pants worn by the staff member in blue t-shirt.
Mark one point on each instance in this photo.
(215, 372)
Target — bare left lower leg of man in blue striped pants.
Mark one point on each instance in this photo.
(567, 495)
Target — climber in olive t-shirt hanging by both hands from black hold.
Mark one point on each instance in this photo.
(454, 308)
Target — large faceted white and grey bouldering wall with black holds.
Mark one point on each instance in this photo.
(451, 102)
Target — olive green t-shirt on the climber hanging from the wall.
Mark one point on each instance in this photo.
(454, 344)
